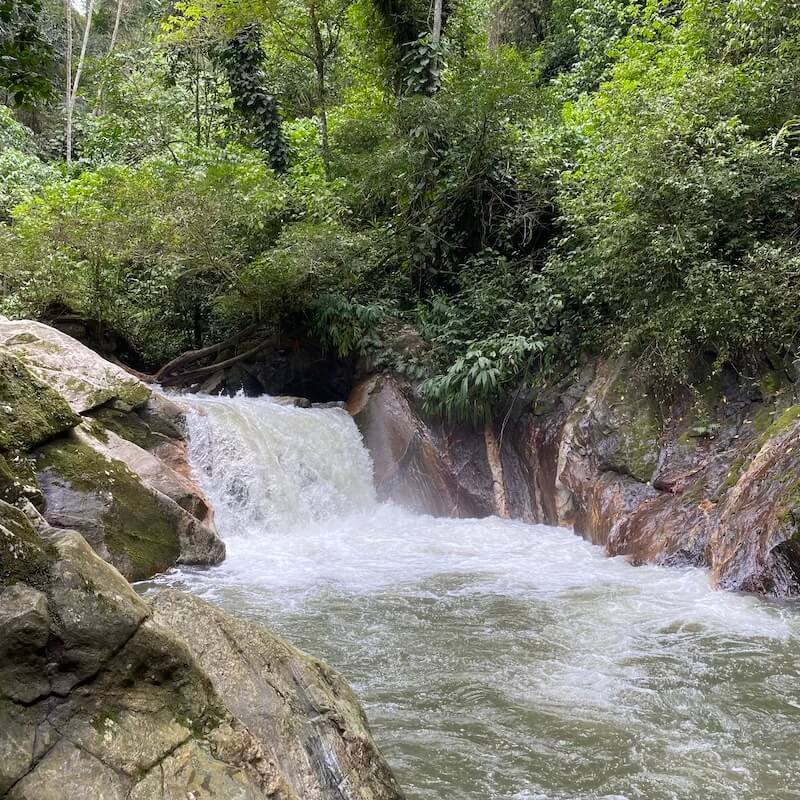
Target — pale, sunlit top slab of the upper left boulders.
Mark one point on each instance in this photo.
(78, 374)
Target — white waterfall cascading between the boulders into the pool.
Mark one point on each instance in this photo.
(267, 466)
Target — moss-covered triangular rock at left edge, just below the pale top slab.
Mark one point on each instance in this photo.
(30, 411)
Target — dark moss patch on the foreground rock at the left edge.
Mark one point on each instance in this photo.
(24, 555)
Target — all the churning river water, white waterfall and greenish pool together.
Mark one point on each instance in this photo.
(496, 660)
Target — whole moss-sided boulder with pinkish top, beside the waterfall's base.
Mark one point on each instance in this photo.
(90, 483)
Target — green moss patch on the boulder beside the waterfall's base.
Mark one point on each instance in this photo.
(139, 538)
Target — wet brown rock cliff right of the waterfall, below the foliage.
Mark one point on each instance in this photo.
(713, 480)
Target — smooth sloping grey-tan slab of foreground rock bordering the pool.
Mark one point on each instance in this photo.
(303, 712)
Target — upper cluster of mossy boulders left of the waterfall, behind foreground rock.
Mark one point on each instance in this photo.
(95, 451)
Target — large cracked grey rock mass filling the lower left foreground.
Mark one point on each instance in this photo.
(101, 697)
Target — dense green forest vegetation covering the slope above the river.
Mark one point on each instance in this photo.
(473, 192)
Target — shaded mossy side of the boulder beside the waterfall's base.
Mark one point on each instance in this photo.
(106, 502)
